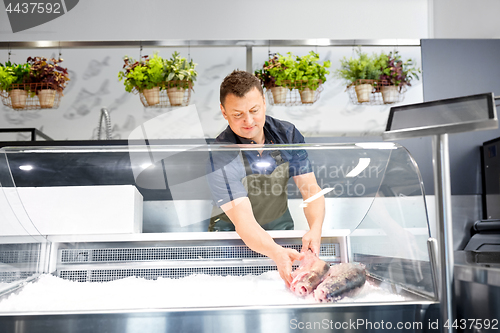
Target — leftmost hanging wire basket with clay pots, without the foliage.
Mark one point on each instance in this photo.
(31, 96)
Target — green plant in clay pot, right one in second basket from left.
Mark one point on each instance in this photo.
(180, 75)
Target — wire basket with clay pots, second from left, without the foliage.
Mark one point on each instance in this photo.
(180, 95)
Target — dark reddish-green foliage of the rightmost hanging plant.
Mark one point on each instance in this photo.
(398, 72)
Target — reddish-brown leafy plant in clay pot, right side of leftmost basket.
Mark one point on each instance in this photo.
(48, 78)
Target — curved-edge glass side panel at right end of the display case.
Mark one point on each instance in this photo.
(392, 238)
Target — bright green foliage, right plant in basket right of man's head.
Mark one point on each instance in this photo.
(310, 70)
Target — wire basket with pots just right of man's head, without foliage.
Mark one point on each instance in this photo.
(290, 94)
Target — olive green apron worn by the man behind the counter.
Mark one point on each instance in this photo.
(267, 195)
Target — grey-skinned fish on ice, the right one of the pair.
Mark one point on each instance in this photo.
(345, 279)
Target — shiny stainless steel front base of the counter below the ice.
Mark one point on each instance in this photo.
(414, 317)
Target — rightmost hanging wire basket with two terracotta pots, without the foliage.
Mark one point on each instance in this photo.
(380, 92)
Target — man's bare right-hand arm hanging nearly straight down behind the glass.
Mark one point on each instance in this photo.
(314, 211)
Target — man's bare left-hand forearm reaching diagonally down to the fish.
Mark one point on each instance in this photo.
(241, 214)
